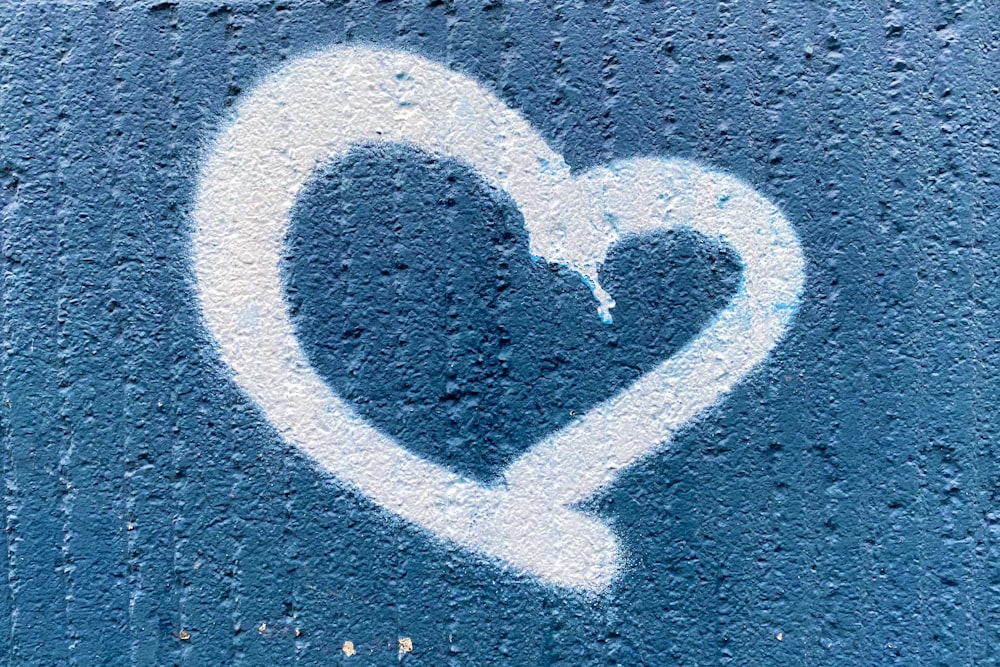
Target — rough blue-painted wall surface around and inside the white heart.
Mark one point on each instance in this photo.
(841, 506)
